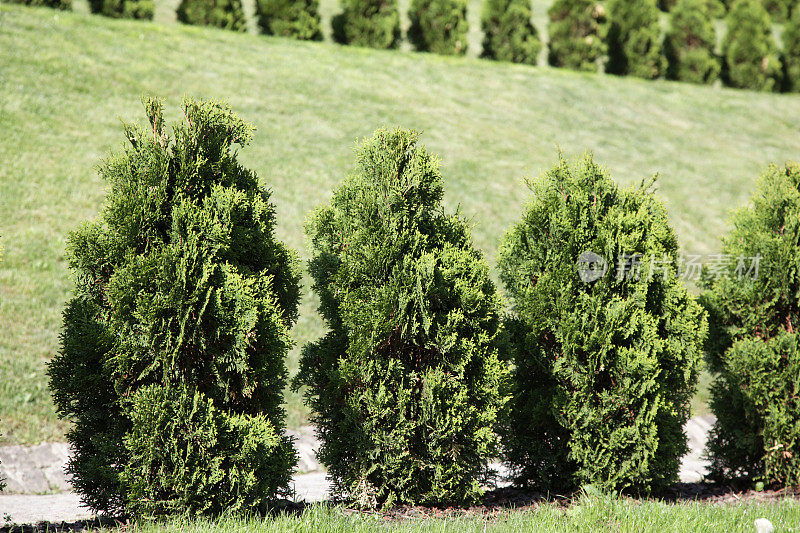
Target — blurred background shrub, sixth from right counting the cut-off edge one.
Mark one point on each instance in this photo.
(508, 34)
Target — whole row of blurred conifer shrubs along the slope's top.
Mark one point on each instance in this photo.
(620, 37)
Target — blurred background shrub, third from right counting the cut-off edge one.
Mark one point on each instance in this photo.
(690, 42)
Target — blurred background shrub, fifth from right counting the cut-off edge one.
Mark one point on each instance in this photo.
(577, 33)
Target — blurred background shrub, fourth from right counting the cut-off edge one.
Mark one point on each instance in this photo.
(634, 39)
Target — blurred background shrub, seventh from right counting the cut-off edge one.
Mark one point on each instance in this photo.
(438, 26)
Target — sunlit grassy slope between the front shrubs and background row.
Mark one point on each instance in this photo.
(66, 80)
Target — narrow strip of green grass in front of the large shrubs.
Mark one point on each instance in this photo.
(590, 515)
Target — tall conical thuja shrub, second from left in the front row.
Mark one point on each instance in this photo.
(404, 387)
